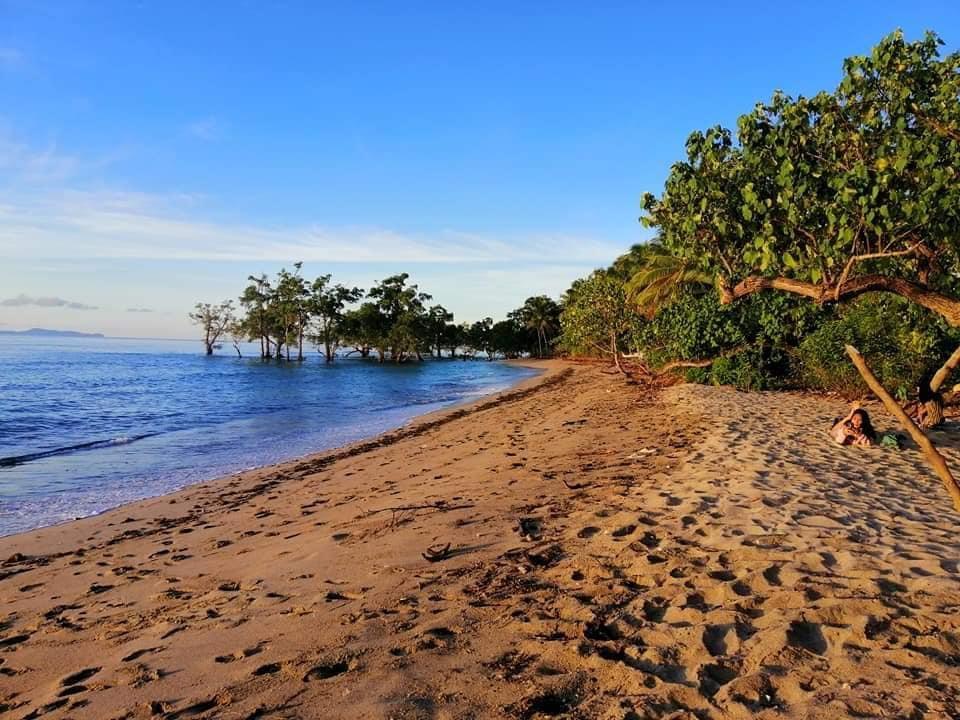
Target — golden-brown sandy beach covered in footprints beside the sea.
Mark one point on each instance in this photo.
(615, 551)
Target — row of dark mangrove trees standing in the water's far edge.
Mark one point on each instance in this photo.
(393, 321)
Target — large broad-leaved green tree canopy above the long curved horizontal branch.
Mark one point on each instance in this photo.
(834, 195)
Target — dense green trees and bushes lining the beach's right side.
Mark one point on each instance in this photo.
(818, 223)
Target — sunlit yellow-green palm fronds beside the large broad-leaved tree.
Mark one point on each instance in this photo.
(658, 276)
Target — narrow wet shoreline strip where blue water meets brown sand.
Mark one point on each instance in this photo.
(414, 420)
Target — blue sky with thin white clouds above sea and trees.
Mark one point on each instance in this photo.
(154, 154)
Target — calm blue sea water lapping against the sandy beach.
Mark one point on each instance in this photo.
(89, 424)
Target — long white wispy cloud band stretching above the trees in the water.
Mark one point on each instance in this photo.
(117, 225)
